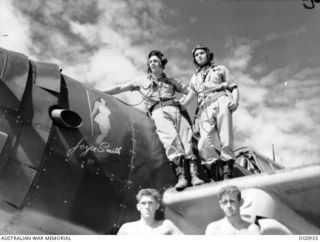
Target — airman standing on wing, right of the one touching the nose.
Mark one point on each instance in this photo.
(218, 98)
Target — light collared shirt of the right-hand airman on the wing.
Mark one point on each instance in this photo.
(212, 77)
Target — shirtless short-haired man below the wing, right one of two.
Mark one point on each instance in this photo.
(230, 202)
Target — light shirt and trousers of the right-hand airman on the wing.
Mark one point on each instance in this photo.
(213, 87)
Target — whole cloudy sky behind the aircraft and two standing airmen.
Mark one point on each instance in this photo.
(270, 48)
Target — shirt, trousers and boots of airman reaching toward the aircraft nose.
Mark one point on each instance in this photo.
(172, 127)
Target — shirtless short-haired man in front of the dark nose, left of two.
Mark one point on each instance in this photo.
(148, 203)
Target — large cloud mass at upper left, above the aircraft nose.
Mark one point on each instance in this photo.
(100, 43)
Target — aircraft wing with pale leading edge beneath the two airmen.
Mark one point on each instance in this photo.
(286, 202)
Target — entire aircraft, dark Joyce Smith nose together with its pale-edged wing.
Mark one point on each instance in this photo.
(73, 158)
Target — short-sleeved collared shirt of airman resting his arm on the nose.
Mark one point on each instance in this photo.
(155, 89)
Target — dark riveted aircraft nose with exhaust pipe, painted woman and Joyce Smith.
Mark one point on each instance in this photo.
(72, 158)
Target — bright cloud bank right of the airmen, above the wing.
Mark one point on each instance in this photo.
(279, 108)
